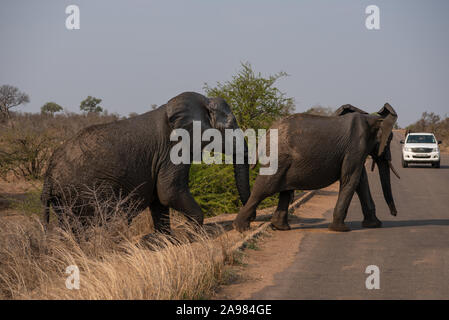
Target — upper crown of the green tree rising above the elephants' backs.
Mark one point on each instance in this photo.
(255, 100)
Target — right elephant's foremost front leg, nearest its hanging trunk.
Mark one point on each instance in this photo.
(368, 207)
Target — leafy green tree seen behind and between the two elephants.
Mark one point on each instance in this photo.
(256, 102)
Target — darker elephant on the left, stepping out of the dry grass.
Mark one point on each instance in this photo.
(132, 156)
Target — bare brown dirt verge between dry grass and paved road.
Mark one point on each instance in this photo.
(274, 251)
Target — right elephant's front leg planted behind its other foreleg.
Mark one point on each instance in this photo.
(348, 185)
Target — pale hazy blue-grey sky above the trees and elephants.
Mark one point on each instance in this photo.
(136, 53)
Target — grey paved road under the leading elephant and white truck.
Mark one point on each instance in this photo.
(411, 250)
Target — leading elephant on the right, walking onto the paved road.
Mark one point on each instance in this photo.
(316, 151)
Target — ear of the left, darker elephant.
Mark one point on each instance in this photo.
(185, 108)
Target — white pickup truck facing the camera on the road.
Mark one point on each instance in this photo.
(420, 148)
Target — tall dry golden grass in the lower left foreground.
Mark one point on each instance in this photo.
(113, 262)
